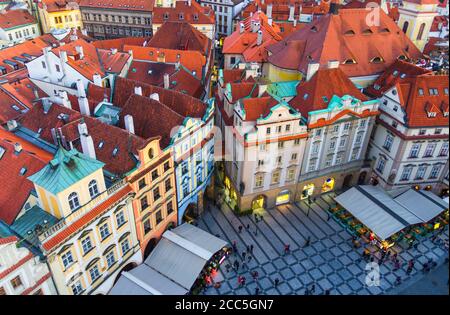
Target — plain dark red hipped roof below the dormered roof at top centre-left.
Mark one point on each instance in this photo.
(180, 36)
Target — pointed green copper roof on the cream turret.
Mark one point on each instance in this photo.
(67, 168)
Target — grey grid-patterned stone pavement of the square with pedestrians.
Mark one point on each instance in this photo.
(329, 262)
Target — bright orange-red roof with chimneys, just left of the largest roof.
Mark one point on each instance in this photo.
(246, 43)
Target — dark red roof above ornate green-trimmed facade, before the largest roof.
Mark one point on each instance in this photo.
(316, 93)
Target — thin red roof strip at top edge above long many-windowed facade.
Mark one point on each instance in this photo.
(124, 5)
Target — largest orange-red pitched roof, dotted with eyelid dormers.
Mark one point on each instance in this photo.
(345, 37)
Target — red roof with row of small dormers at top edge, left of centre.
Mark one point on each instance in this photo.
(193, 14)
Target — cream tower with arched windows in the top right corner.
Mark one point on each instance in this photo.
(416, 18)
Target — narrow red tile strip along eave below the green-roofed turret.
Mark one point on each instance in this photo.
(76, 226)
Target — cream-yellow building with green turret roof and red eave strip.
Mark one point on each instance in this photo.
(94, 238)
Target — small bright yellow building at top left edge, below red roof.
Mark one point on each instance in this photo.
(53, 16)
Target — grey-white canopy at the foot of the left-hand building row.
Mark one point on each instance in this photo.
(174, 264)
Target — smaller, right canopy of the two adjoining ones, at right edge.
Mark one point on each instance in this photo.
(423, 204)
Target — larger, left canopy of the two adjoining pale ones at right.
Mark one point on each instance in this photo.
(374, 208)
